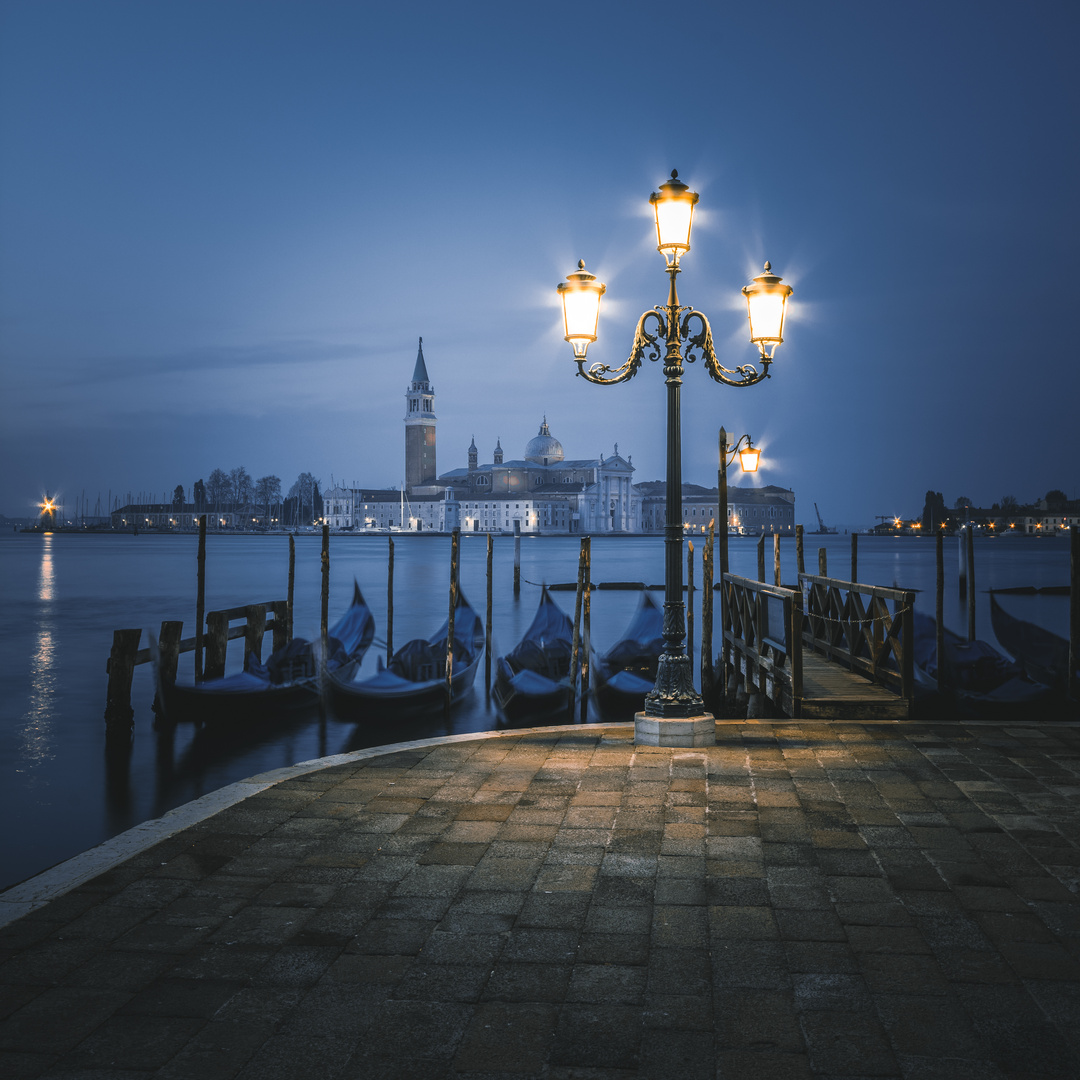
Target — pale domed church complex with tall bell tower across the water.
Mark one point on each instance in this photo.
(542, 492)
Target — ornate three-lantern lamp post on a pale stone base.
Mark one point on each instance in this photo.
(674, 711)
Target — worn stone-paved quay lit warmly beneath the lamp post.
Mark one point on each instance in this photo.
(804, 900)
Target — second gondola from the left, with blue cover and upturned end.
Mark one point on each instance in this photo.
(415, 680)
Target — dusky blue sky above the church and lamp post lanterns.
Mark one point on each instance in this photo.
(225, 225)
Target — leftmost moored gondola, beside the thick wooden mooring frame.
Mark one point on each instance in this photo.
(288, 682)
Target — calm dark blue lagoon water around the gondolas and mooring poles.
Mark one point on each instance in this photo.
(64, 596)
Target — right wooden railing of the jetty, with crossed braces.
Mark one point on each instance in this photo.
(855, 626)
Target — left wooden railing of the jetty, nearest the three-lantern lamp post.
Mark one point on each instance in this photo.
(763, 640)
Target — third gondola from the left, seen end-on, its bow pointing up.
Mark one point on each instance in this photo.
(534, 679)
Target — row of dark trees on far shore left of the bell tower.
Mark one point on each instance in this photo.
(236, 492)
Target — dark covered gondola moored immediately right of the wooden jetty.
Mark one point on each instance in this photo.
(981, 682)
